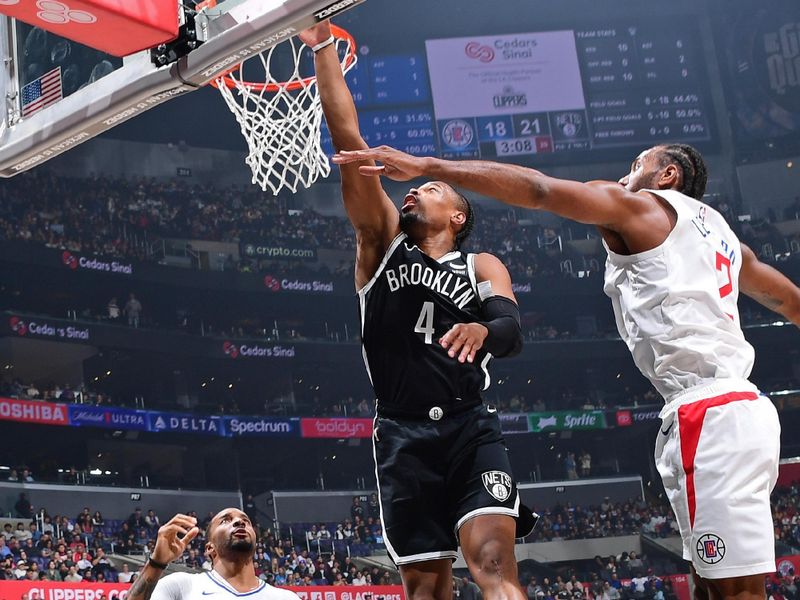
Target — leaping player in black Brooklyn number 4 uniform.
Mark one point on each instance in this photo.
(432, 318)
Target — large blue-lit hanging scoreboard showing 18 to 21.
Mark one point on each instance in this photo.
(586, 90)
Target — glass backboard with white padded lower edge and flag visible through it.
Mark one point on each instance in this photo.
(58, 93)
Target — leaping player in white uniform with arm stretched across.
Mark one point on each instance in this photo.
(674, 272)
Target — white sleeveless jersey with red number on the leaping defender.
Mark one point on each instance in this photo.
(675, 305)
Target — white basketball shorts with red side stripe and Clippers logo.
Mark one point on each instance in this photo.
(718, 459)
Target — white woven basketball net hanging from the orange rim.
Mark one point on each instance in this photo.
(281, 126)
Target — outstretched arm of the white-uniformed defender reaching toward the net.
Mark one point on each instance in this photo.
(601, 203)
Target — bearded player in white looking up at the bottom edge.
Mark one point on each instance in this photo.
(230, 545)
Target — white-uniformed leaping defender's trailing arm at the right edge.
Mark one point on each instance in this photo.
(769, 287)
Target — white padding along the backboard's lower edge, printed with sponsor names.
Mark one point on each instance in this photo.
(239, 29)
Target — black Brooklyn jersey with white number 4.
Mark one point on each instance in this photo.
(410, 302)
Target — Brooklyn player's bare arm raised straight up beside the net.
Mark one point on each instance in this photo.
(372, 213)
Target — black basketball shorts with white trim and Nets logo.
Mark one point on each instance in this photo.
(433, 476)
